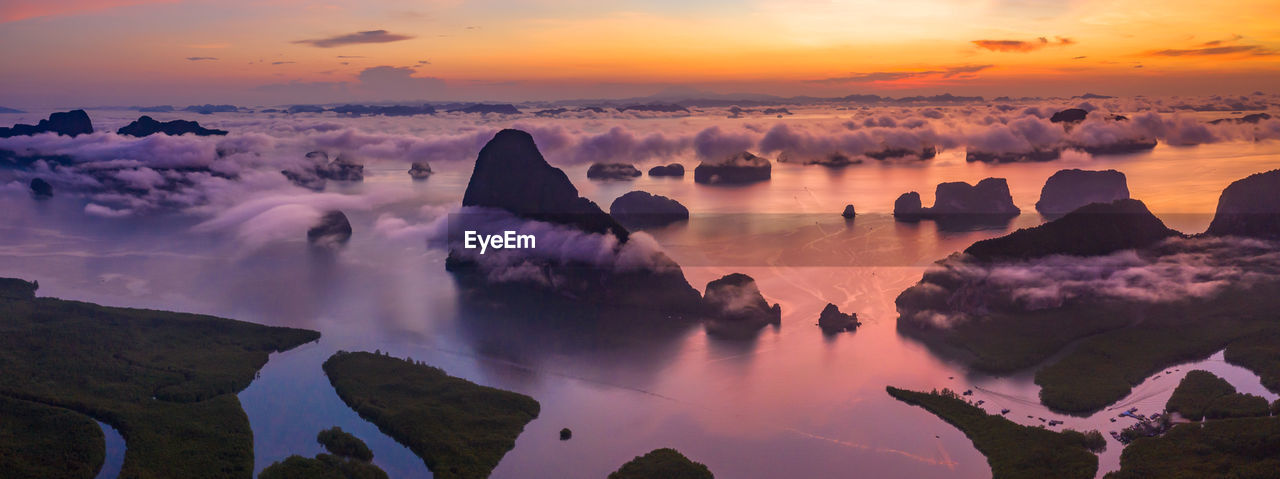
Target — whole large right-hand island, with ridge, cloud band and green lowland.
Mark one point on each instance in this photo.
(1114, 280)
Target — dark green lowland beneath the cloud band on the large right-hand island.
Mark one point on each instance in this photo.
(1117, 345)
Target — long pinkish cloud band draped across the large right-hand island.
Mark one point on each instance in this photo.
(956, 291)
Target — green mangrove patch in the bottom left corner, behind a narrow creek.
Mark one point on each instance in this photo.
(39, 441)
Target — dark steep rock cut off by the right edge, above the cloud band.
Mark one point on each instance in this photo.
(1250, 208)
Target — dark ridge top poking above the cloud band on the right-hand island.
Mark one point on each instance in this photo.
(1094, 230)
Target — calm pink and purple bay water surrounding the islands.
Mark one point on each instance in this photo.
(789, 404)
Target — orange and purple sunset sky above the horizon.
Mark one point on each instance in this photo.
(81, 53)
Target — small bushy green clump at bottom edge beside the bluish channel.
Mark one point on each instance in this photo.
(349, 459)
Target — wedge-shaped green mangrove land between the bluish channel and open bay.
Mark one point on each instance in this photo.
(460, 430)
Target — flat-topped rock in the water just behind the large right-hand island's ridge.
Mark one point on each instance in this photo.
(1072, 189)
